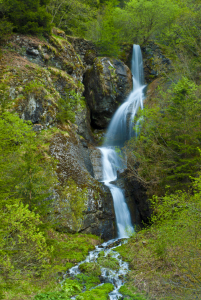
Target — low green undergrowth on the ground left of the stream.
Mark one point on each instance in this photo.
(68, 249)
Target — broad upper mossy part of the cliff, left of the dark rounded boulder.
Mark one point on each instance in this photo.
(38, 73)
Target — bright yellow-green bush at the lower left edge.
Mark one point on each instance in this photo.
(23, 247)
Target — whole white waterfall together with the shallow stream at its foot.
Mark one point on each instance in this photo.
(120, 130)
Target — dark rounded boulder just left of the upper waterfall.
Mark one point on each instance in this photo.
(107, 84)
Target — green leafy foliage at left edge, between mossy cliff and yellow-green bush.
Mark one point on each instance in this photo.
(27, 172)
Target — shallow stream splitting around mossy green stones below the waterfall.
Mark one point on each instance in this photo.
(103, 269)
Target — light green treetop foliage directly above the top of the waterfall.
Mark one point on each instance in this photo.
(134, 22)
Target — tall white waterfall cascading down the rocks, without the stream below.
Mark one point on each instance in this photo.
(120, 130)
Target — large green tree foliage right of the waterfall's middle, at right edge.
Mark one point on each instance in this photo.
(167, 148)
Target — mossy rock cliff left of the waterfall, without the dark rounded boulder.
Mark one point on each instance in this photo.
(36, 75)
